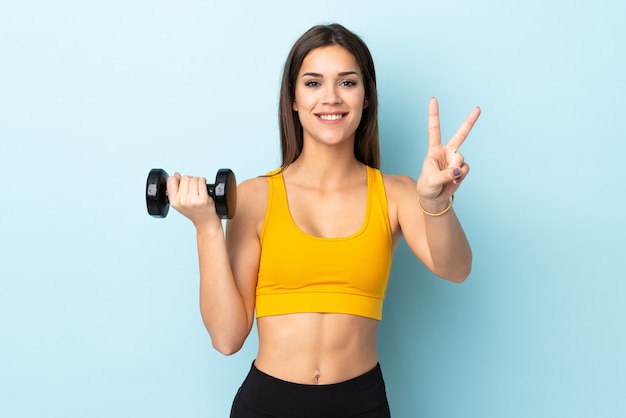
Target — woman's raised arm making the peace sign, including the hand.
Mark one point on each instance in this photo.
(426, 217)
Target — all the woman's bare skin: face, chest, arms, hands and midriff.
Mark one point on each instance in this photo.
(326, 187)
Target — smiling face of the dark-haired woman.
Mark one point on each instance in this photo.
(329, 96)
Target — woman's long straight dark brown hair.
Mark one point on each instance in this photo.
(366, 146)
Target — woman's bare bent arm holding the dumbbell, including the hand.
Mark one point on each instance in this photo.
(228, 266)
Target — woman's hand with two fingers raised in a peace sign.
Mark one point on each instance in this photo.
(444, 167)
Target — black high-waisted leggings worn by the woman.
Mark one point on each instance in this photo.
(264, 396)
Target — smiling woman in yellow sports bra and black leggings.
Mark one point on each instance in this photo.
(311, 245)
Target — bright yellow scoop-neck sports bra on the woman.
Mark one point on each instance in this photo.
(299, 272)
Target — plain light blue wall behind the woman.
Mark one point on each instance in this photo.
(98, 301)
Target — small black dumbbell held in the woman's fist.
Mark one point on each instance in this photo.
(223, 192)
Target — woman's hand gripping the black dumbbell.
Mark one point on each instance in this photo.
(189, 196)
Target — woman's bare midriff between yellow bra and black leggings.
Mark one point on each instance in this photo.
(316, 348)
